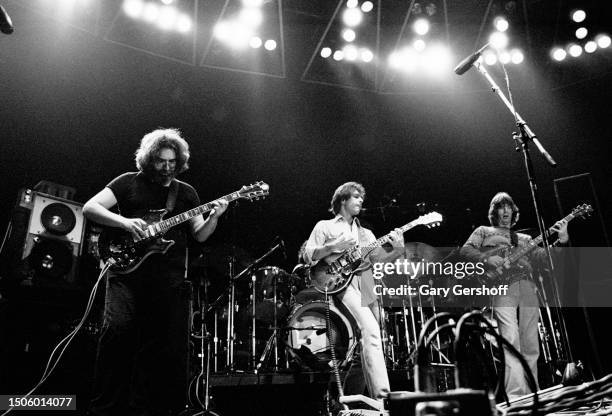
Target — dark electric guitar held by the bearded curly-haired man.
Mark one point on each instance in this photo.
(125, 254)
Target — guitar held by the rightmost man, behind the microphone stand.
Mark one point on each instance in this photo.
(512, 255)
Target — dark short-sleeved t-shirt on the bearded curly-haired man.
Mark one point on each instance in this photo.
(136, 194)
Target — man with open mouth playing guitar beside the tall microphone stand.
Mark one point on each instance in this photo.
(516, 312)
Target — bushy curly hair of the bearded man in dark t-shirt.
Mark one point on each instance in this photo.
(152, 143)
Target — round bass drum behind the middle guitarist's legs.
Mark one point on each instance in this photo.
(307, 335)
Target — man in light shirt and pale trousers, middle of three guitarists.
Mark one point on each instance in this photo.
(337, 235)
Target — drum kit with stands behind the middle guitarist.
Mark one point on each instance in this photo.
(269, 320)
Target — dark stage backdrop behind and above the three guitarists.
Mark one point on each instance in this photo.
(73, 107)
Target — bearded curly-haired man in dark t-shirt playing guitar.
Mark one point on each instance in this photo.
(141, 344)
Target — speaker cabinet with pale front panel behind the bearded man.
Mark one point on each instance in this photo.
(54, 239)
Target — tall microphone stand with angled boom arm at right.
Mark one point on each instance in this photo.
(522, 139)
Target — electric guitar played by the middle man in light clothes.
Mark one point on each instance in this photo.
(334, 273)
